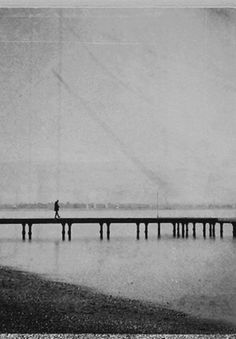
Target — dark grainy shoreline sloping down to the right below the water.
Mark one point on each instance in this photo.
(32, 304)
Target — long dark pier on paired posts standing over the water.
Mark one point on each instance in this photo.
(181, 226)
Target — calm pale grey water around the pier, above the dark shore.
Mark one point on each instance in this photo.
(196, 276)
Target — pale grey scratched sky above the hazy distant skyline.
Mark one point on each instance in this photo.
(117, 104)
